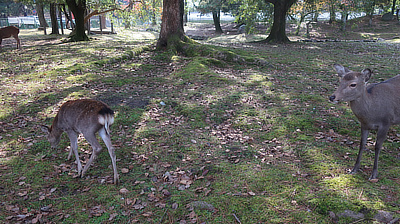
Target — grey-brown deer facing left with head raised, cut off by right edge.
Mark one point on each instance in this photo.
(377, 106)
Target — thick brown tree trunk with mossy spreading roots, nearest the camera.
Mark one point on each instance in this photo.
(171, 24)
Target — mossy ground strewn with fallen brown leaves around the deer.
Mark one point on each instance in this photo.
(244, 135)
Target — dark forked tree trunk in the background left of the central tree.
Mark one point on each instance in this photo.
(78, 9)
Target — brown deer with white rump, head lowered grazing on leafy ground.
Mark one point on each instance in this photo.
(87, 117)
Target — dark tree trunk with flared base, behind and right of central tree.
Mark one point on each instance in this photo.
(278, 30)
